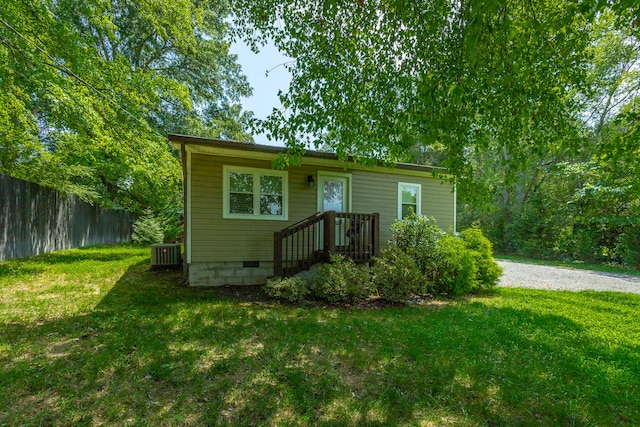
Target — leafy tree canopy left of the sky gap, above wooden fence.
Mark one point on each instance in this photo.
(88, 91)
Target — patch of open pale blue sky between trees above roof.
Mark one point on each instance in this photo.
(265, 87)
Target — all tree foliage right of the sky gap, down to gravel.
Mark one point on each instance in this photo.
(532, 104)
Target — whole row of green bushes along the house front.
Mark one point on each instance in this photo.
(420, 259)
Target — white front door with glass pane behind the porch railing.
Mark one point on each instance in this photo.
(334, 195)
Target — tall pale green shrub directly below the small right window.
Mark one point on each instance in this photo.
(418, 237)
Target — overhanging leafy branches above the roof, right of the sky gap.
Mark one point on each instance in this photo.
(374, 79)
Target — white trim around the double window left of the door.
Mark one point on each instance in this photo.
(226, 170)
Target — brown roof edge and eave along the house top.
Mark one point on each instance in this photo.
(227, 147)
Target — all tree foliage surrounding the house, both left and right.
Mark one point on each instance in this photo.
(533, 105)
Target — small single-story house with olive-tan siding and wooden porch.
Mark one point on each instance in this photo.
(246, 221)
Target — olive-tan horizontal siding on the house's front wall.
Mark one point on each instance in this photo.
(215, 239)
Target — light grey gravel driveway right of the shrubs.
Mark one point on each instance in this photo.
(524, 275)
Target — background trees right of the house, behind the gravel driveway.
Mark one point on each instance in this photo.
(573, 199)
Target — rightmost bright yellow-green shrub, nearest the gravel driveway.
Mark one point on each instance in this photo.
(488, 270)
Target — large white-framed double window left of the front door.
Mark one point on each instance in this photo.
(251, 193)
